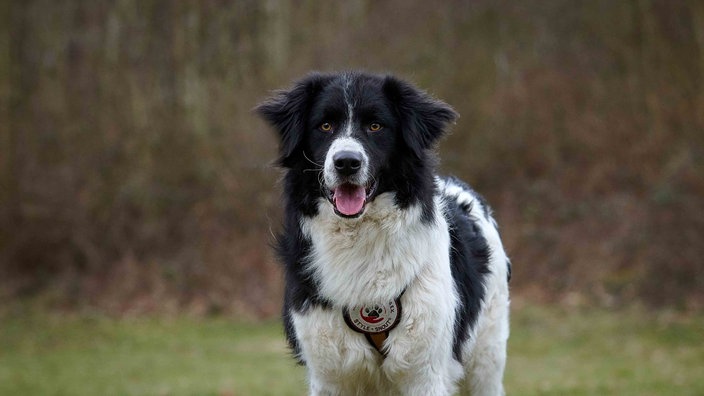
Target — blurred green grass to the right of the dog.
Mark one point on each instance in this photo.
(605, 353)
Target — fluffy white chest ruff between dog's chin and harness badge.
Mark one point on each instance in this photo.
(375, 257)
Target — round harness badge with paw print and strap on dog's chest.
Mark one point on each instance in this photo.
(375, 321)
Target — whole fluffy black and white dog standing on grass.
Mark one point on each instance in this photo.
(396, 279)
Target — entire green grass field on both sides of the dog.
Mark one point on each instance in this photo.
(551, 352)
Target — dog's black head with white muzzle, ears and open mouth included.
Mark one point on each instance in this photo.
(357, 135)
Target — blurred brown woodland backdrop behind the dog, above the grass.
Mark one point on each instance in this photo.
(135, 178)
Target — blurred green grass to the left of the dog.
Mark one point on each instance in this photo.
(46, 354)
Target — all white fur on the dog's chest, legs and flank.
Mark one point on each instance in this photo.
(374, 258)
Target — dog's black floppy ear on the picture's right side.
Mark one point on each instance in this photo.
(423, 119)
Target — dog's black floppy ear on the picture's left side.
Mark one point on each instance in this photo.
(287, 112)
